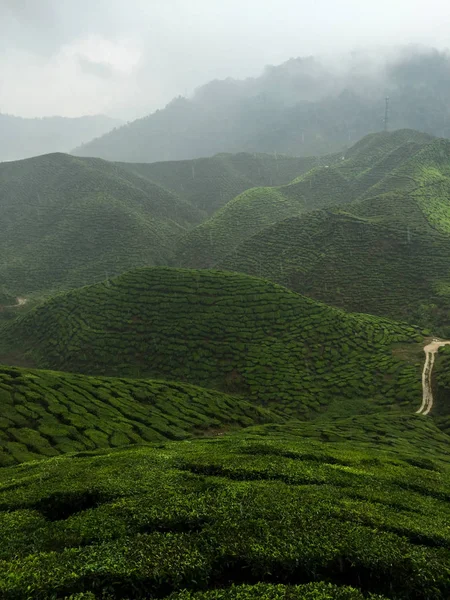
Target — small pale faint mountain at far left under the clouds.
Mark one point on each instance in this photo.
(23, 138)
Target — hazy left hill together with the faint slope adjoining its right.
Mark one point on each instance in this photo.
(72, 221)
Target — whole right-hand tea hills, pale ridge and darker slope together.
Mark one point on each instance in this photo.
(379, 242)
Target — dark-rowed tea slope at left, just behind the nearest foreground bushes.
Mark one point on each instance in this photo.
(45, 413)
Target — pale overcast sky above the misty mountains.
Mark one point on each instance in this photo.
(128, 57)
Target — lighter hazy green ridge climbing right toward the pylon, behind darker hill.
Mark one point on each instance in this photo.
(354, 175)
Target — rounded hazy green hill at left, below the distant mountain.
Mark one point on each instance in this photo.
(68, 221)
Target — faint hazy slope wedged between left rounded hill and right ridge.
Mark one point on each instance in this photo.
(209, 183)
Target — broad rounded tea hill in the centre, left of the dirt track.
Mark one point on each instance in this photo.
(223, 330)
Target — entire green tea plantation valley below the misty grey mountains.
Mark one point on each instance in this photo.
(227, 377)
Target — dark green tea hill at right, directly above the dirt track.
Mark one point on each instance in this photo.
(355, 263)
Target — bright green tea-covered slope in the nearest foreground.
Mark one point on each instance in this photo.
(259, 515)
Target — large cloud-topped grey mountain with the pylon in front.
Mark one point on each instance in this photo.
(301, 108)
